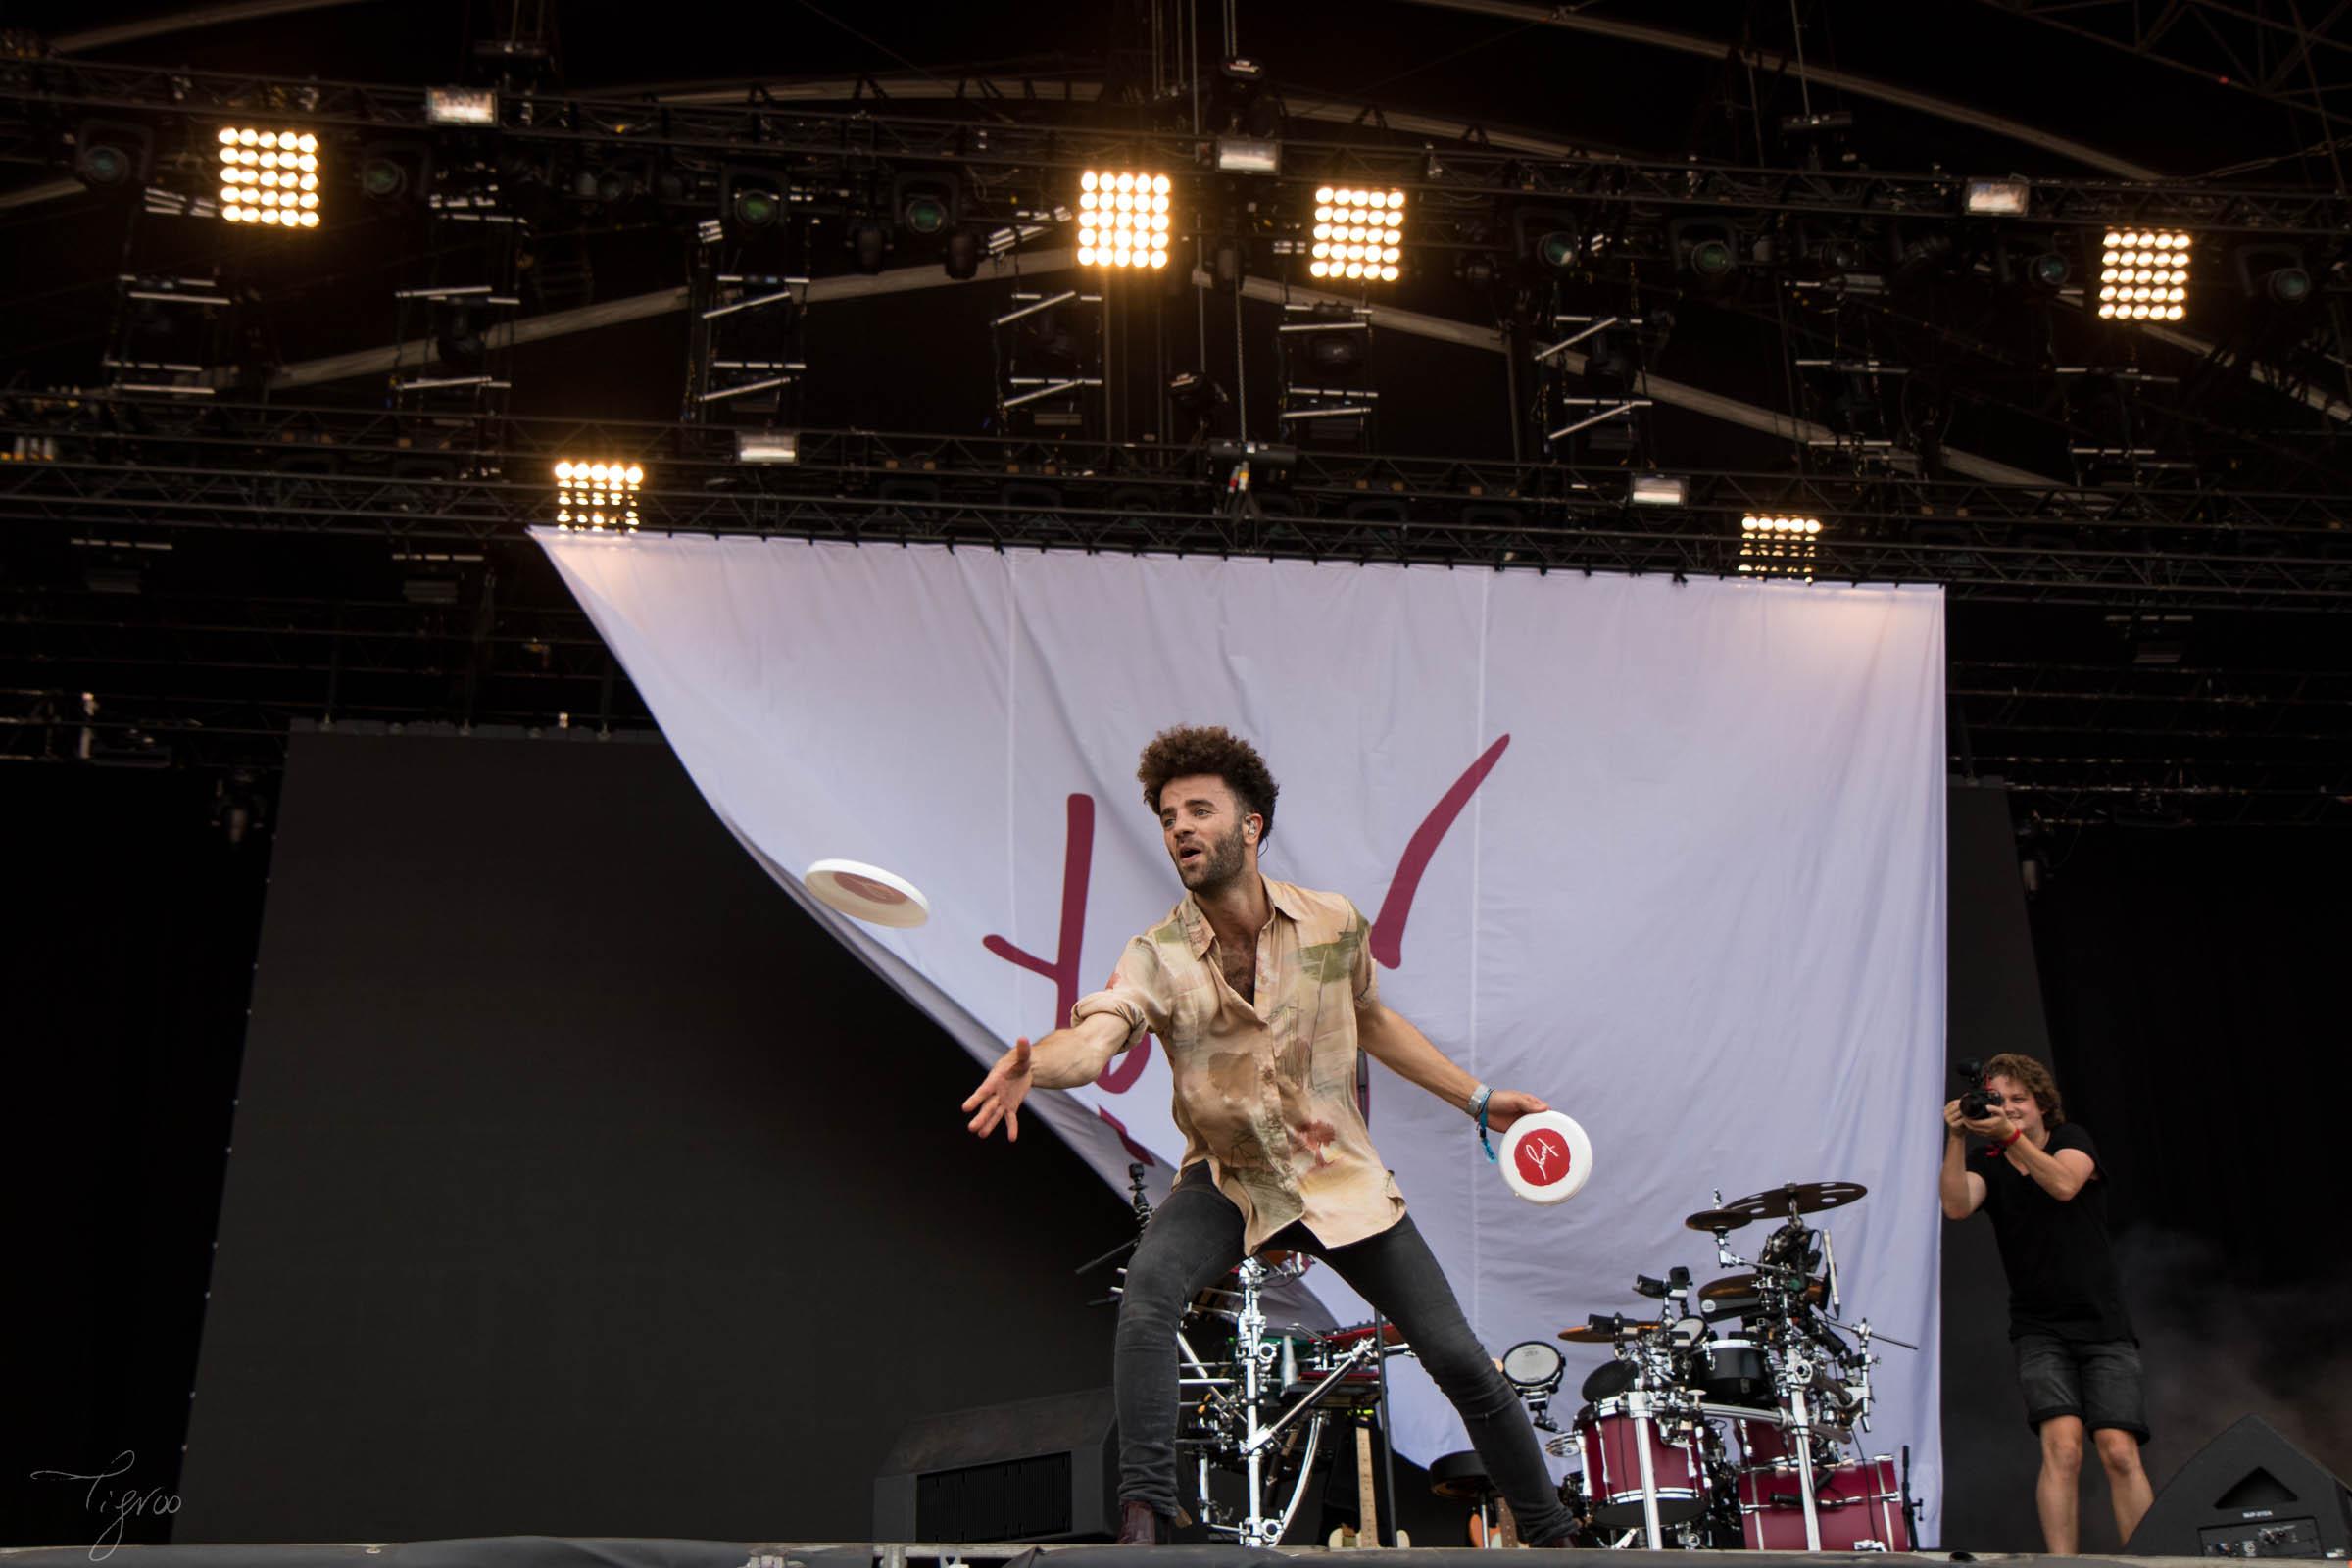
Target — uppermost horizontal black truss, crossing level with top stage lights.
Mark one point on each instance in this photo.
(1003, 145)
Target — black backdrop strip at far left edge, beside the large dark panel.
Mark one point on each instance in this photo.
(123, 979)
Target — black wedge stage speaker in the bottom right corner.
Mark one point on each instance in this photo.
(2247, 1494)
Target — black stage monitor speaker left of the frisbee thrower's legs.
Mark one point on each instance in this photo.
(1027, 1470)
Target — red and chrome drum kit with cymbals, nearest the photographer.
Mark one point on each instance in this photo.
(1728, 1414)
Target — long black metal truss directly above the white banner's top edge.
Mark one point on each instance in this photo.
(345, 474)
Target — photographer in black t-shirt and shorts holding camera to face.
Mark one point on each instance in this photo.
(2078, 1360)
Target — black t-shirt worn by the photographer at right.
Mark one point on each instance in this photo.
(2062, 1271)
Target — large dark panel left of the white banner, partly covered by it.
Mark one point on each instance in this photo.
(584, 1188)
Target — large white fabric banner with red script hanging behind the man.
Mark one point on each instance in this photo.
(1669, 855)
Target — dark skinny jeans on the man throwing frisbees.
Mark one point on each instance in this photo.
(1196, 1240)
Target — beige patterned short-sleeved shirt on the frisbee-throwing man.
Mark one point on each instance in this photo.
(1267, 1092)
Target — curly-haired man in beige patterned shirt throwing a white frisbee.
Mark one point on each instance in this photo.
(1264, 993)
